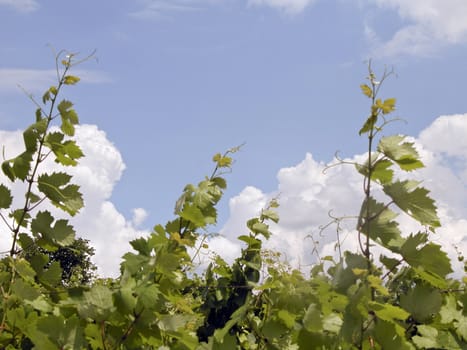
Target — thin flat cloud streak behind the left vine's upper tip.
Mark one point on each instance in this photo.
(34, 80)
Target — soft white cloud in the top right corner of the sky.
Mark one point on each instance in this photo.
(430, 25)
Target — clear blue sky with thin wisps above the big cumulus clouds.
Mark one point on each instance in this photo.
(176, 81)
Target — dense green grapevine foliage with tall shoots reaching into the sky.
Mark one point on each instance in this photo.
(401, 300)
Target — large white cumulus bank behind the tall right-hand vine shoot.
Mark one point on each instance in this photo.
(311, 196)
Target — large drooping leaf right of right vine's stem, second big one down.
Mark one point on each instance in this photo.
(414, 201)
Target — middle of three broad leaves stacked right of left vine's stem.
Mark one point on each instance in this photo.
(56, 187)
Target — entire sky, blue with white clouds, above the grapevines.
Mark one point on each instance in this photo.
(173, 82)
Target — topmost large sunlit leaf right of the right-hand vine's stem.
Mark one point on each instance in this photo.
(403, 153)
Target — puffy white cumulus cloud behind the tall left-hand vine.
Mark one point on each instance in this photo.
(108, 230)
